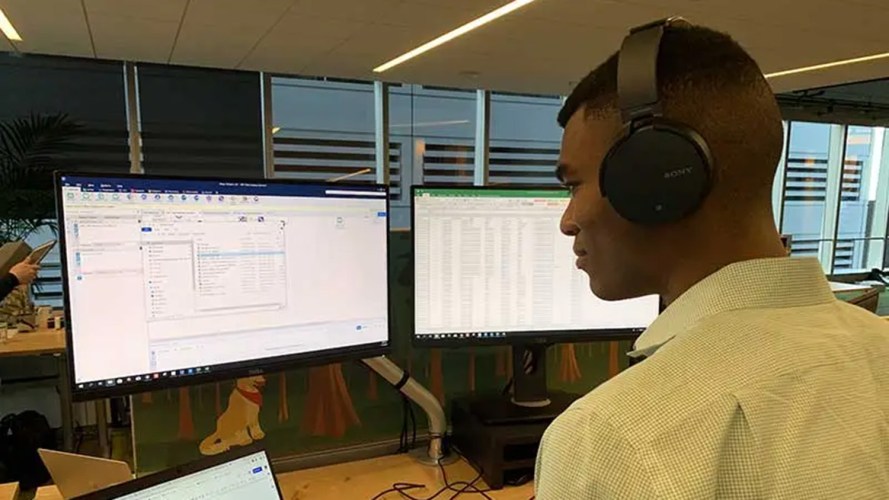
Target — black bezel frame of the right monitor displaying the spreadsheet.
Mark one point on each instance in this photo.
(544, 337)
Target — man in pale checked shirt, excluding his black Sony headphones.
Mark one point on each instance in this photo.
(757, 382)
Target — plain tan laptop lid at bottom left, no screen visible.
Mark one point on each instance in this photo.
(77, 475)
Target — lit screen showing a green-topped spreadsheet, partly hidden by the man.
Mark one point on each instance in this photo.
(491, 266)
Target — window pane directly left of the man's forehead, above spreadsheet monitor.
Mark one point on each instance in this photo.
(525, 140)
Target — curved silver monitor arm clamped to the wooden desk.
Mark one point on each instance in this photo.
(401, 380)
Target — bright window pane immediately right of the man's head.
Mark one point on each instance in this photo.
(806, 186)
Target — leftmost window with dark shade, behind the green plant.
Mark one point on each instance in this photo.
(92, 94)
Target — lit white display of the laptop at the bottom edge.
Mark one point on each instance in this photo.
(249, 476)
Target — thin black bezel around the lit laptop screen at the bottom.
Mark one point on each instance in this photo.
(166, 475)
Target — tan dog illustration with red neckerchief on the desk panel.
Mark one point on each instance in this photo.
(239, 423)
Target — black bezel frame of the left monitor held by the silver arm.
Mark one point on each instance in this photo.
(228, 371)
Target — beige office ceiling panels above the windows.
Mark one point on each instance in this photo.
(541, 48)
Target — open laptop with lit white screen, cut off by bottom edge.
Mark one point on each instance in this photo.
(239, 474)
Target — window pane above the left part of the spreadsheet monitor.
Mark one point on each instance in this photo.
(434, 129)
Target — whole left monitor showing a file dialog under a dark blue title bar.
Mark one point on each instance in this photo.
(174, 281)
